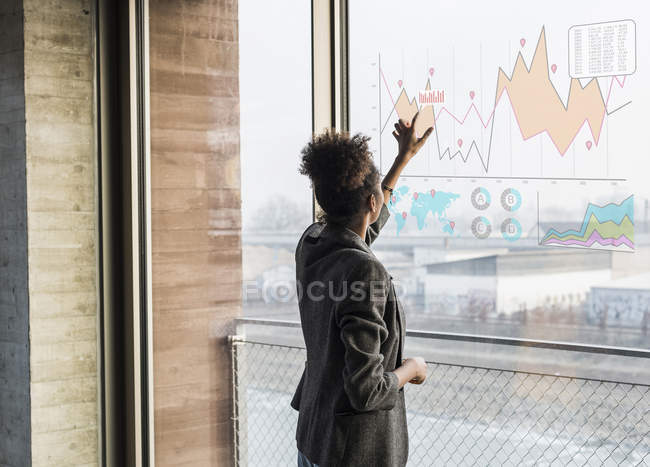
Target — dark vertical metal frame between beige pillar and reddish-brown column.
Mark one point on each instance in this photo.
(125, 347)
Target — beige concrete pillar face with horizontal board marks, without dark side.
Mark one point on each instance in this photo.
(61, 213)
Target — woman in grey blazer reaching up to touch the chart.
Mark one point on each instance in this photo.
(350, 397)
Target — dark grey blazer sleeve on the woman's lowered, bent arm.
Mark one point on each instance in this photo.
(360, 318)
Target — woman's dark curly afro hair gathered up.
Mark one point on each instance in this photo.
(342, 173)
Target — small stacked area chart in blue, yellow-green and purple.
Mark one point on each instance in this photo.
(610, 226)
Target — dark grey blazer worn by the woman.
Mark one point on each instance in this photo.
(351, 410)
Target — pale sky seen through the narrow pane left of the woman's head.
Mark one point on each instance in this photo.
(275, 86)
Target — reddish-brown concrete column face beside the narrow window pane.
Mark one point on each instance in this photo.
(196, 225)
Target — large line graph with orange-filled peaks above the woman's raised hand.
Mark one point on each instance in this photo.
(535, 103)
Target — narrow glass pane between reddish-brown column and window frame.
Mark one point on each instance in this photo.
(275, 80)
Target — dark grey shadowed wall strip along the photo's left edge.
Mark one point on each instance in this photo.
(14, 308)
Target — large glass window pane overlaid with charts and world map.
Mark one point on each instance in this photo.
(526, 212)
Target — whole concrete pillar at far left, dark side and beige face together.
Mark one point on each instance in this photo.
(48, 266)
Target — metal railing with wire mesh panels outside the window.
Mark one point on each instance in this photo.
(462, 415)
